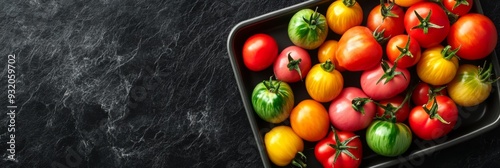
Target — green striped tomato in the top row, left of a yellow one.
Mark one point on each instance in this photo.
(308, 29)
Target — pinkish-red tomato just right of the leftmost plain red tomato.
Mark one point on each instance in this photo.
(292, 65)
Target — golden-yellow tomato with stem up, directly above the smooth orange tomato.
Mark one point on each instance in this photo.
(324, 82)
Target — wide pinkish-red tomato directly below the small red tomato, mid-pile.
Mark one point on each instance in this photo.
(385, 81)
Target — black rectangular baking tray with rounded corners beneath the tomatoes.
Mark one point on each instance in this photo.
(473, 121)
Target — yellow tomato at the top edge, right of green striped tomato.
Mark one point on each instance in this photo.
(341, 15)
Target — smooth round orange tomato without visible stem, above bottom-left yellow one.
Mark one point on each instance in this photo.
(309, 120)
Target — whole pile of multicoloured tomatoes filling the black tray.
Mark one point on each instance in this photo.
(428, 37)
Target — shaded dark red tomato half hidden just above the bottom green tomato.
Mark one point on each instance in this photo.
(395, 102)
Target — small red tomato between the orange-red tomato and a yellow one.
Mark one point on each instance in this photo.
(404, 49)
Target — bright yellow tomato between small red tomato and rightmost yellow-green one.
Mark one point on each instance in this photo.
(438, 65)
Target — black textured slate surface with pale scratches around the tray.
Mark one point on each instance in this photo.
(111, 83)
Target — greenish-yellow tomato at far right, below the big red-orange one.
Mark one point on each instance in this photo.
(472, 85)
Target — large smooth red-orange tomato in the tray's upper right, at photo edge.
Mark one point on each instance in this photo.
(475, 34)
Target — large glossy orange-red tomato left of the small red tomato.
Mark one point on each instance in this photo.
(358, 50)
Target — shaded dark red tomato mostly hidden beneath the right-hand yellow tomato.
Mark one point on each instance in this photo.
(420, 94)
